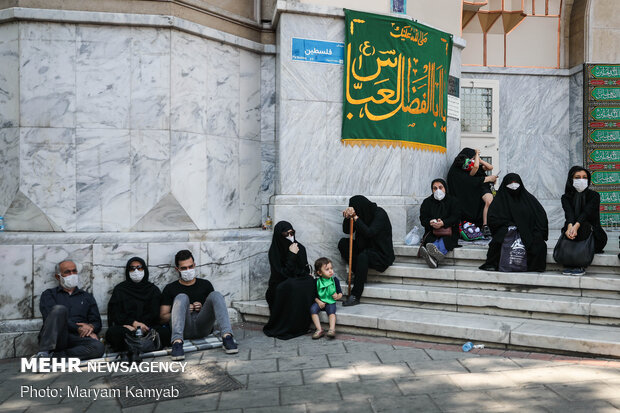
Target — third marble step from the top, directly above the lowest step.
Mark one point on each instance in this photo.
(586, 309)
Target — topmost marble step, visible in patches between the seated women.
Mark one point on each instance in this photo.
(475, 255)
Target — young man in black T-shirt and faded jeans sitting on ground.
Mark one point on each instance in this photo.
(191, 306)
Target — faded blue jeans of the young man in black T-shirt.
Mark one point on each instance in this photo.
(191, 324)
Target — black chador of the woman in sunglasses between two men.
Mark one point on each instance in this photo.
(131, 301)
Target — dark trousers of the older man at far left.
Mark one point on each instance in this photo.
(55, 336)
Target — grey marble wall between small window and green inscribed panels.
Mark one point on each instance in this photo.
(539, 130)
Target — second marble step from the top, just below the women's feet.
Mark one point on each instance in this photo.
(603, 285)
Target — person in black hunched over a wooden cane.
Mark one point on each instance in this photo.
(372, 247)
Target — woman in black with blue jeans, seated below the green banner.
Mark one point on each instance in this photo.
(438, 212)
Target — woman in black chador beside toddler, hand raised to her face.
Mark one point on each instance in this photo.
(291, 288)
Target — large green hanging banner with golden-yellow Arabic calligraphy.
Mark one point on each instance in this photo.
(395, 82)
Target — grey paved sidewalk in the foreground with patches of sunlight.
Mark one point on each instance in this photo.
(360, 374)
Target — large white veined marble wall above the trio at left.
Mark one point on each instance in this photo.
(108, 128)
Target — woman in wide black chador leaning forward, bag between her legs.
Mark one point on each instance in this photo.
(515, 206)
